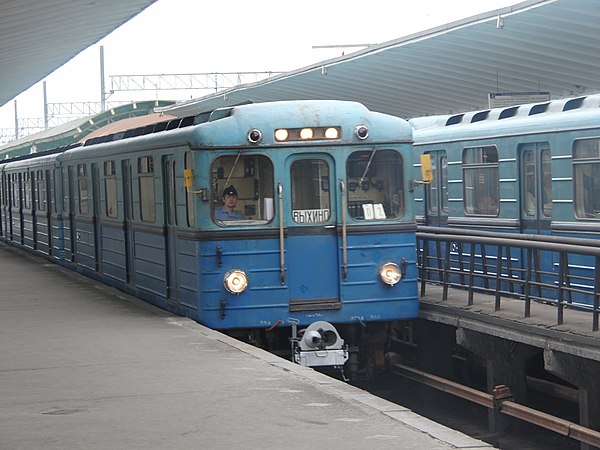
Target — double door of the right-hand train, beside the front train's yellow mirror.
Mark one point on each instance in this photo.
(436, 192)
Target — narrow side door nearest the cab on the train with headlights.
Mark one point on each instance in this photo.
(170, 221)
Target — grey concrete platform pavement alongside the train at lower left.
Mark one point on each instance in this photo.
(84, 366)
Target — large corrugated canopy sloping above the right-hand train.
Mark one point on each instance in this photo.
(533, 49)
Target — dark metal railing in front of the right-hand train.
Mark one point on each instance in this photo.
(561, 271)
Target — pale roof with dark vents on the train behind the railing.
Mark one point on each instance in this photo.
(582, 111)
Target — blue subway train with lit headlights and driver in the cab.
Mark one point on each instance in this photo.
(276, 222)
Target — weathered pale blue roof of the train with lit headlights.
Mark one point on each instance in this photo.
(289, 114)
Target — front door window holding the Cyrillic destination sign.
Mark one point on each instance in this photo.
(310, 191)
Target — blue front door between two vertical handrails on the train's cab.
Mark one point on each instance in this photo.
(311, 196)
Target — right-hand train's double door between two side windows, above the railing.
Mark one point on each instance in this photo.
(535, 188)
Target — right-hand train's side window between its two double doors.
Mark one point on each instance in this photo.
(481, 187)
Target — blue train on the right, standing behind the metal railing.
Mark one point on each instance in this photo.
(530, 169)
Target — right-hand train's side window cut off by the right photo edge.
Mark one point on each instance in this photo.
(586, 178)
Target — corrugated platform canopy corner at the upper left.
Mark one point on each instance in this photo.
(39, 36)
